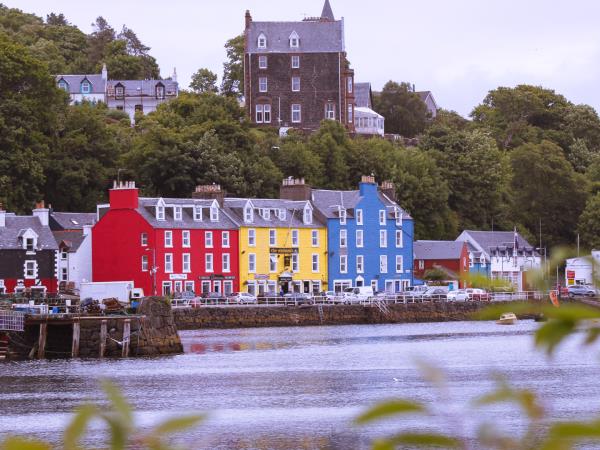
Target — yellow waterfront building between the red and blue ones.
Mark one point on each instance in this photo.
(283, 246)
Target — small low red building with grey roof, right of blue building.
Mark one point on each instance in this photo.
(451, 257)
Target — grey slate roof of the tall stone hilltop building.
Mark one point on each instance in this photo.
(315, 36)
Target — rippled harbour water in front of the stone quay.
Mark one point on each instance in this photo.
(287, 388)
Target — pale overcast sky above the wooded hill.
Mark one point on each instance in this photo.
(458, 49)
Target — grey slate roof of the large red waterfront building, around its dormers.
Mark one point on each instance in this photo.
(147, 211)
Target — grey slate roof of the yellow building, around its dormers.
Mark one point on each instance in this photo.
(293, 217)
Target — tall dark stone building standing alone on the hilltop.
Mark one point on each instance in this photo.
(296, 74)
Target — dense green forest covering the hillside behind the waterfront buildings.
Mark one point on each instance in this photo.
(527, 156)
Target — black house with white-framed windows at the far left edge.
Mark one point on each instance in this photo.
(28, 253)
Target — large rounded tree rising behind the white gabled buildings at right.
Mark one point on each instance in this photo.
(546, 188)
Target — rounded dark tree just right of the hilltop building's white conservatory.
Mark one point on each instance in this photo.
(404, 111)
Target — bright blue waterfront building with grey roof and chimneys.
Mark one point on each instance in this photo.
(369, 236)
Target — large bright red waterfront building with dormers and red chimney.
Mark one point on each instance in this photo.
(165, 245)
